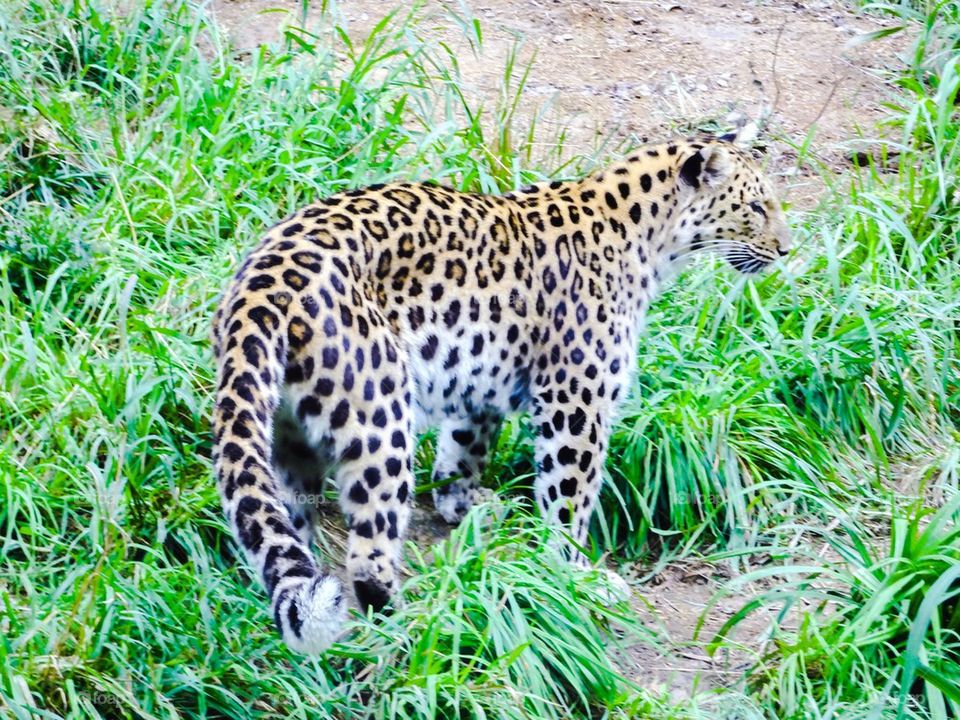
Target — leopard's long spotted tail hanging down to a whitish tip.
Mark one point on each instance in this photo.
(250, 339)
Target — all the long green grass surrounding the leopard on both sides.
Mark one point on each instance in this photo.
(139, 160)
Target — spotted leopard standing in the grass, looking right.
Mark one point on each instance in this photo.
(368, 316)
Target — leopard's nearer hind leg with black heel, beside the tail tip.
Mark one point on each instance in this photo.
(358, 395)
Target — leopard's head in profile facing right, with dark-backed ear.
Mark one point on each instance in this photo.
(729, 207)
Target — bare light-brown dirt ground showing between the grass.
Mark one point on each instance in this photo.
(613, 70)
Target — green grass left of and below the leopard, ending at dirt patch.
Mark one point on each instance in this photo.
(142, 163)
